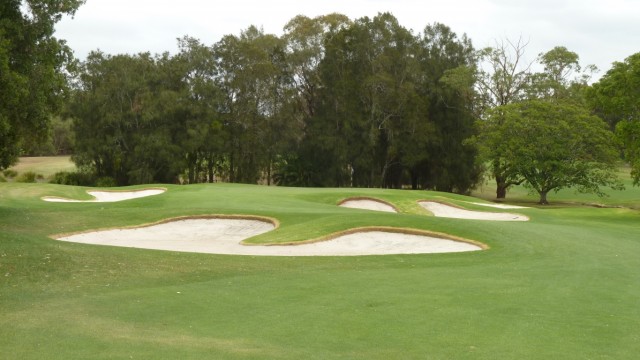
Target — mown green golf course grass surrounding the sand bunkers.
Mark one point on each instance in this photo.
(564, 285)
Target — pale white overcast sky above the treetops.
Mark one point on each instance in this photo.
(599, 31)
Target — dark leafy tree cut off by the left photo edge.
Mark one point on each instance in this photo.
(32, 65)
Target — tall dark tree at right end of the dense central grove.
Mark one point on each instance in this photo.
(450, 162)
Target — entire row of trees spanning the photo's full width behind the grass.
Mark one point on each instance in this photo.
(331, 102)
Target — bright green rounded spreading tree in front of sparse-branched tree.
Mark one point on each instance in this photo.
(556, 145)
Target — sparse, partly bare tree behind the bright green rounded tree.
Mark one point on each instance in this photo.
(505, 80)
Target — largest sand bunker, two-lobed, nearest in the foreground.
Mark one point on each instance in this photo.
(223, 236)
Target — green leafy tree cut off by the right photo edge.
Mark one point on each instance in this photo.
(616, 98)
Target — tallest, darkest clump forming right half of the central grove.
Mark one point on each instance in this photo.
(384, 117)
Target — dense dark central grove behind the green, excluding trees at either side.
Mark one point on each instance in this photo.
(333, 102)
